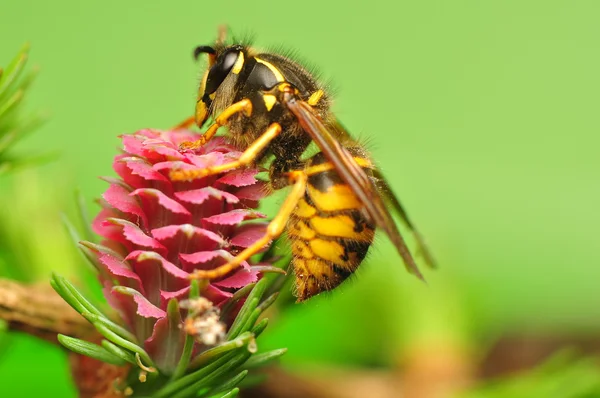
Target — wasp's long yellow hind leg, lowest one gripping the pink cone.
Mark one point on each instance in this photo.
(274, 230)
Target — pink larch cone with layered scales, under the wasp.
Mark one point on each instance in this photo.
(157, 231)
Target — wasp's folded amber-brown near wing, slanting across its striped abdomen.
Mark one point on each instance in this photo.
(353, 175)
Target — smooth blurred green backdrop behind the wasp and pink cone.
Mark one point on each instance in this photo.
(484, 115)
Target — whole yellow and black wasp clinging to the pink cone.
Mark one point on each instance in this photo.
(274, 108)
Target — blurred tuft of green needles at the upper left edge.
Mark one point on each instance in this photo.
(13, 125)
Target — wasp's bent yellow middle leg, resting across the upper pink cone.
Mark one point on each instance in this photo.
(244, 160)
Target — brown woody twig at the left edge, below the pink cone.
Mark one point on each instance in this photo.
(38, 310)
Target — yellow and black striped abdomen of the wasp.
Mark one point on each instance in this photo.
(329, 234)
